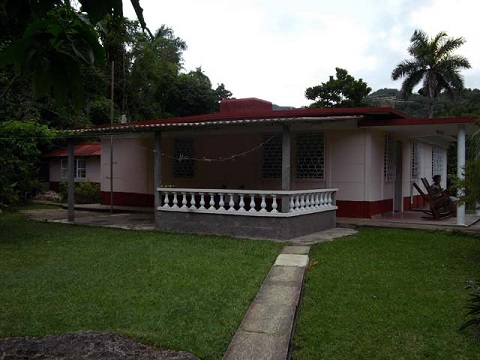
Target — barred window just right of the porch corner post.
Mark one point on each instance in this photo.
(310, 158)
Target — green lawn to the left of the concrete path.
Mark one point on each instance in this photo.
(177, 292)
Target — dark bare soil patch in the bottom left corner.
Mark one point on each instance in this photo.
(85, 345)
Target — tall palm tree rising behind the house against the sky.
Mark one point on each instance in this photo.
(434, 65)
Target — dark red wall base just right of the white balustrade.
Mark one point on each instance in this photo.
(363, 209)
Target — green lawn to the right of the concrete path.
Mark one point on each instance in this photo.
(389, 294)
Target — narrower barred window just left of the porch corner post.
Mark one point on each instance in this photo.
(272, 157)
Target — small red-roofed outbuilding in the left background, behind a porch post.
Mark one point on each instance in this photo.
(86, 164)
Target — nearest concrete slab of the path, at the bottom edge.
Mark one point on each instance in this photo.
(257, 346)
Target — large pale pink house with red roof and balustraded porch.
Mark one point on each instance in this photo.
(281, 173)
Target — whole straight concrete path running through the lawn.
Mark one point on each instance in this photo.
(266, 331)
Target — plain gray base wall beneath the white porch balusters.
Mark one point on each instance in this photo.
(255, 227)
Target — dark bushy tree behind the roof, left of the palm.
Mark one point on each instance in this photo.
(342, 91)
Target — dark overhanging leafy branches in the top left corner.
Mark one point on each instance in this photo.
(55, 39)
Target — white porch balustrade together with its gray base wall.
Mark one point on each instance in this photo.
(260, 214)
